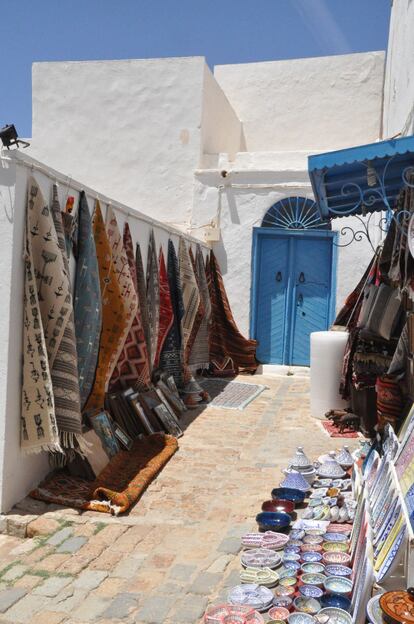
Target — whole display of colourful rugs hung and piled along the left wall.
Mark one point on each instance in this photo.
(110, 349)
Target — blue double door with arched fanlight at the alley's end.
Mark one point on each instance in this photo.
(293, 281)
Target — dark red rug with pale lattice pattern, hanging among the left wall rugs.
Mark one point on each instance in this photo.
(132, 368)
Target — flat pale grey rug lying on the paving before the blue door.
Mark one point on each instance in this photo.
(231, 394)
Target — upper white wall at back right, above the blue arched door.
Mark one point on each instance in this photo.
(310, 104)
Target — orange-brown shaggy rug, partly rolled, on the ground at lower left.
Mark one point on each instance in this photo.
(120, 484)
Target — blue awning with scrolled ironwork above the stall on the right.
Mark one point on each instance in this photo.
(361, 179)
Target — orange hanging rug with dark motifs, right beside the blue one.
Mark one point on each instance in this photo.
(114, 319)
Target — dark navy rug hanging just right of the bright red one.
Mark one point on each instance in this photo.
(171, 354)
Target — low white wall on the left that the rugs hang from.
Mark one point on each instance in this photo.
(19, 473)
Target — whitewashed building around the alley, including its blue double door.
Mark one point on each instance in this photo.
(211, 153)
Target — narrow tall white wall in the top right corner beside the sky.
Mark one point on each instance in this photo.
(399, 76)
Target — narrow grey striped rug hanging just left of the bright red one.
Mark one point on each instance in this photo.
(153, 297)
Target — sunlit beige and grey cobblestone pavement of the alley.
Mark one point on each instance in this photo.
(178, 550)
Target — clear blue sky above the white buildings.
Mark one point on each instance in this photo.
(224, 31)
